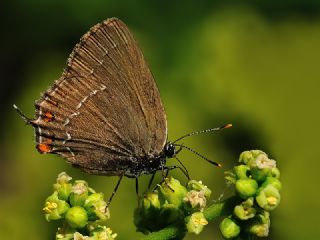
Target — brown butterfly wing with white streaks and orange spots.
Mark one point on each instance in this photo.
(105, 111)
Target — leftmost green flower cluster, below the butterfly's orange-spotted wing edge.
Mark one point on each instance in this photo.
(82, 209)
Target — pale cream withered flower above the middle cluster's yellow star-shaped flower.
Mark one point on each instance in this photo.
(194, 201)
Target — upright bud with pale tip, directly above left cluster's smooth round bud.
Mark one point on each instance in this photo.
(79, 193)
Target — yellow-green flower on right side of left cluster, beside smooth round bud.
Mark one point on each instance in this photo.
(96, 207)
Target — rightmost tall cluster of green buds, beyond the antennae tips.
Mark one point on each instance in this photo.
(257, 184)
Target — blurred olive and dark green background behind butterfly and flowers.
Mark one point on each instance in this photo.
(252, 63)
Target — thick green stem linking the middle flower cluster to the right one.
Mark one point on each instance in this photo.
(211, 213)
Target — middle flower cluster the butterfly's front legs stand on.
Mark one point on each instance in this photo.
(173, 205)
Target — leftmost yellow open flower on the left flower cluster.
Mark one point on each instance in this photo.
(55, 208)
